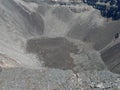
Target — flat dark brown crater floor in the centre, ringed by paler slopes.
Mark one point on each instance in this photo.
(55, 52)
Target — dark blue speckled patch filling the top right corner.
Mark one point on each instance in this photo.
(108, 11)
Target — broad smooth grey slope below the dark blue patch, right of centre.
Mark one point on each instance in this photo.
(99, 36)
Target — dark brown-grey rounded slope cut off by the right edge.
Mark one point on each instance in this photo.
(111, 57)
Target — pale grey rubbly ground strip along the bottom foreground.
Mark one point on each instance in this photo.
(54, 79)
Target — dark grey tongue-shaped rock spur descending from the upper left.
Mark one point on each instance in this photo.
(33, 21)
